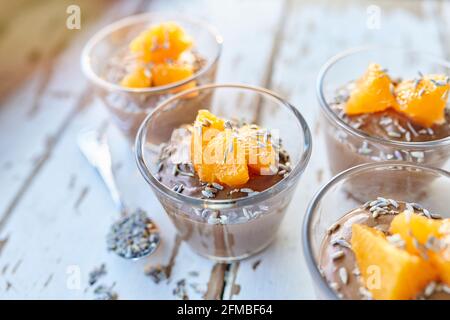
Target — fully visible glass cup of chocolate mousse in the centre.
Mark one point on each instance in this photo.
(224, 171)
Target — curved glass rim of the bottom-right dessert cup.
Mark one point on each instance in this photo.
(310, 211)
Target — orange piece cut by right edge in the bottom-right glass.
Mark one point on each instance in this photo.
(421, 229)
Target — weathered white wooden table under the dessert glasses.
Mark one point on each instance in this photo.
(54, 210)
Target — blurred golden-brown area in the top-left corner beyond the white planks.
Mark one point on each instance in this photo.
(23, 27)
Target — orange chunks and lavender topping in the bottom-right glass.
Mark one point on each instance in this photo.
(406, 259)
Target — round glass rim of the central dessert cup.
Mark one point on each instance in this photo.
(305, 145)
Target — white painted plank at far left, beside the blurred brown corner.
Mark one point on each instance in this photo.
(27, 137)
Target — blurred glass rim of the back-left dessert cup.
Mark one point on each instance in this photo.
(130, 20)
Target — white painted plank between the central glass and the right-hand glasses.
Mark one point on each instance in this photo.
(314, 32)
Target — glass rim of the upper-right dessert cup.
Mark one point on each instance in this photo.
(332, 116)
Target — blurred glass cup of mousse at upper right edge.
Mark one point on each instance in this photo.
(385, 104)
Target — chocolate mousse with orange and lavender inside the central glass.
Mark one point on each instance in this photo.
(224, 233)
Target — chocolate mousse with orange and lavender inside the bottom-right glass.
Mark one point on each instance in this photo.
(399, 230)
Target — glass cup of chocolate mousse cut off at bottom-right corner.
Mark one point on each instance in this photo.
(390, 230)
